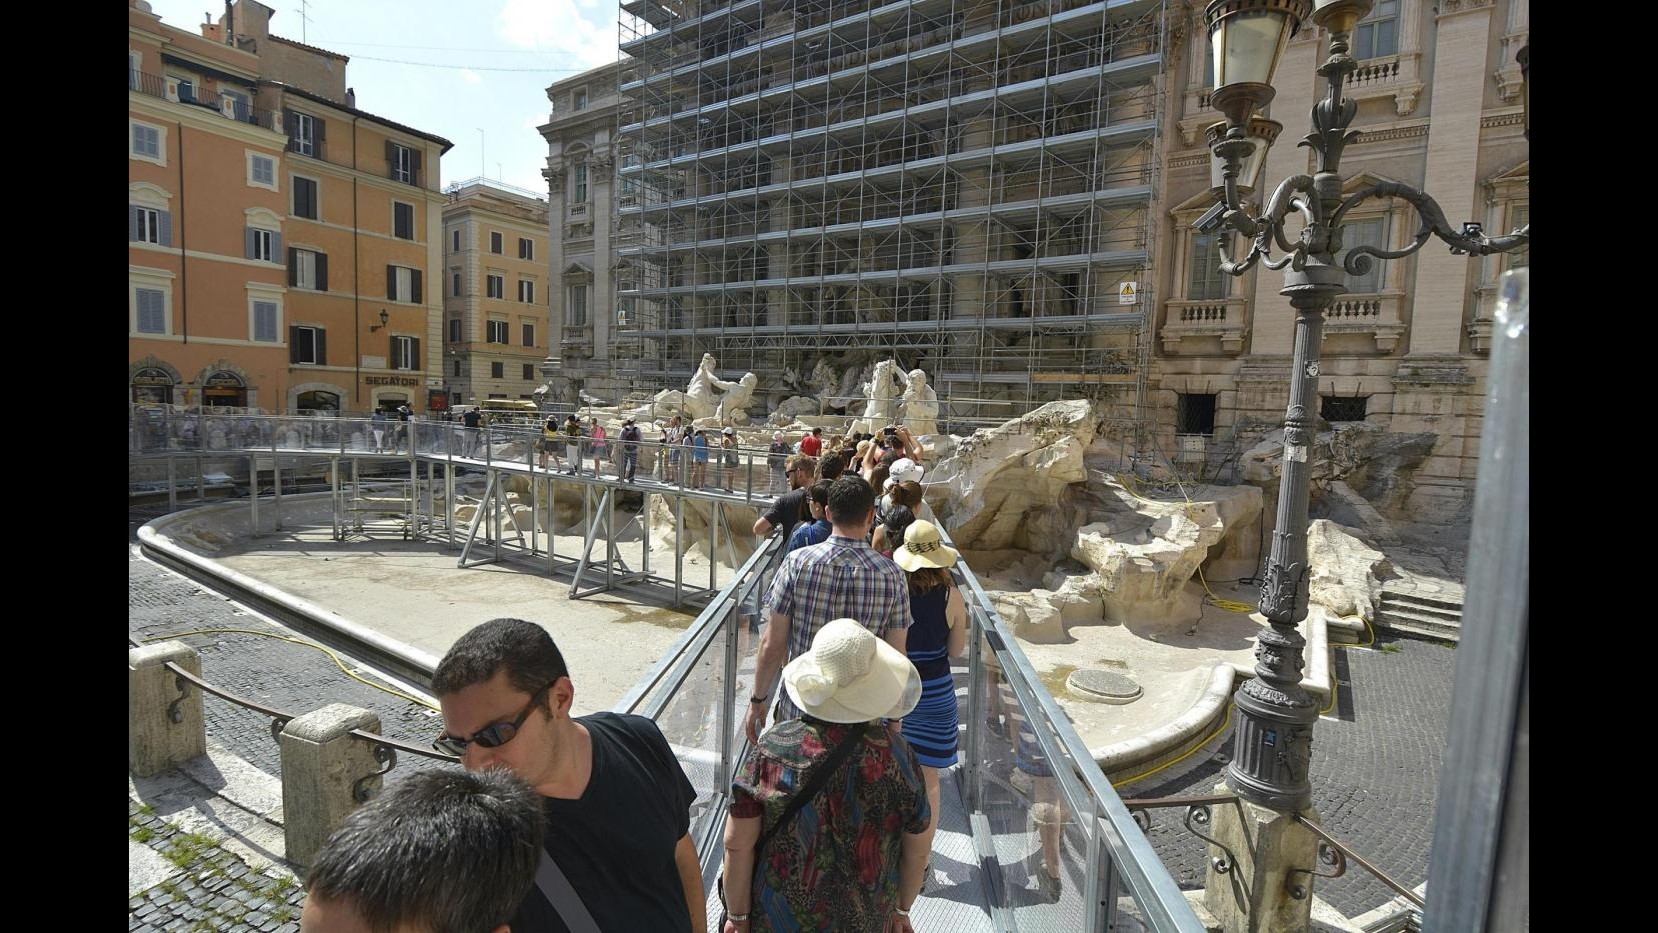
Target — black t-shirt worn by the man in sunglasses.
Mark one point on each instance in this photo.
(616, 843)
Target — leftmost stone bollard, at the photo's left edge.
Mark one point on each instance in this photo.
(165, 725)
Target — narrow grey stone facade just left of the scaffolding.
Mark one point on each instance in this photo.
(583, 220)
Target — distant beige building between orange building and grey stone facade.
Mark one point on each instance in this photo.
(495, 292)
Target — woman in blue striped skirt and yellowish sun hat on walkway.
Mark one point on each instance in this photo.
(938, 634)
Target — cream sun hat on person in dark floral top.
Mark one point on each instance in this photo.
(853, 677)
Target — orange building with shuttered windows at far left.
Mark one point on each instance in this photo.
(283, 243)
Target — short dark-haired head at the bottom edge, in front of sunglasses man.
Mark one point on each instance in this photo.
(439, 853)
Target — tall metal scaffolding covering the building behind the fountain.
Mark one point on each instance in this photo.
(961, 185)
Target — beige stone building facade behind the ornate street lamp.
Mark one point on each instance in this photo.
(1438, 95)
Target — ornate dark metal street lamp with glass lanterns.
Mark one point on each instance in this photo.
(1274, 715)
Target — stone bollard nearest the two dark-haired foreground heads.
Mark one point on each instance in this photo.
(321, 766)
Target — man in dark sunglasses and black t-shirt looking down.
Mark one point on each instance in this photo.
(616, 798)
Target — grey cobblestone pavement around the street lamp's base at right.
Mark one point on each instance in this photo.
(1375, 773)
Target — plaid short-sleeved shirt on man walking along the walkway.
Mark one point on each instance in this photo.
(838, 579)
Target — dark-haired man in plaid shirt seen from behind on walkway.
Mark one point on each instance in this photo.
(841, 578)
